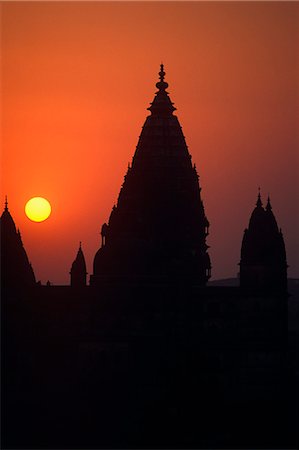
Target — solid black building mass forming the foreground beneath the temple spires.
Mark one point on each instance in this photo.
(147, 367)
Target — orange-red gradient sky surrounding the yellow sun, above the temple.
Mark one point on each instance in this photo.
(77, 78)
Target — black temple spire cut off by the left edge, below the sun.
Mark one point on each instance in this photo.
(16, 271)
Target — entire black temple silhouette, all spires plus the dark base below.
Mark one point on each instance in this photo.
(148, 354)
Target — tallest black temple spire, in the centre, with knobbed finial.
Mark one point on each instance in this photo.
(158, 229)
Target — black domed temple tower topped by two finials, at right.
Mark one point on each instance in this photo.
(263, 263)
